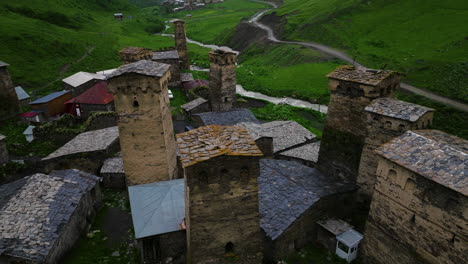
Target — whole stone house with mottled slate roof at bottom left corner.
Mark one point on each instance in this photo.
(42, 216)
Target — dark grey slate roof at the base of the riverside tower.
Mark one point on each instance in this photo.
(229, 118)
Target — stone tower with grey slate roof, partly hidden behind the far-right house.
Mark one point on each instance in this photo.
(387, 118)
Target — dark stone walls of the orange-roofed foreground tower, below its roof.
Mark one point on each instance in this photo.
(222, 210)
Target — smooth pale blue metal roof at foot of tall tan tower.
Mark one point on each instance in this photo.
(157, 208)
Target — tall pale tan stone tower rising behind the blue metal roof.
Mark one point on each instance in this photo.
(145, 122)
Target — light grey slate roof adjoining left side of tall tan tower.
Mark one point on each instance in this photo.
(97, 140)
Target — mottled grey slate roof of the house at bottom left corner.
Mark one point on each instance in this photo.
(33, 211)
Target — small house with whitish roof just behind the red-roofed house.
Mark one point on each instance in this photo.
(79, 82)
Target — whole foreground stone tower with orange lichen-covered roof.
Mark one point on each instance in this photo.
(221, 167)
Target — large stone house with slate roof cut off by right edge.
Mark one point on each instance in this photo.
(418, 209)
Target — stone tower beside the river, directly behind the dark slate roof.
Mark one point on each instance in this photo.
(222, 80)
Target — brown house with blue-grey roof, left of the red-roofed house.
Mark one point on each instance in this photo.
(53, 104)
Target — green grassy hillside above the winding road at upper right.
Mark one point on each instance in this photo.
(425, 39)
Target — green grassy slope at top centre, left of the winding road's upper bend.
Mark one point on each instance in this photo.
(214, 23)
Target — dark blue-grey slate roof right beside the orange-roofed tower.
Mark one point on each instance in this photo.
(287, 189)
